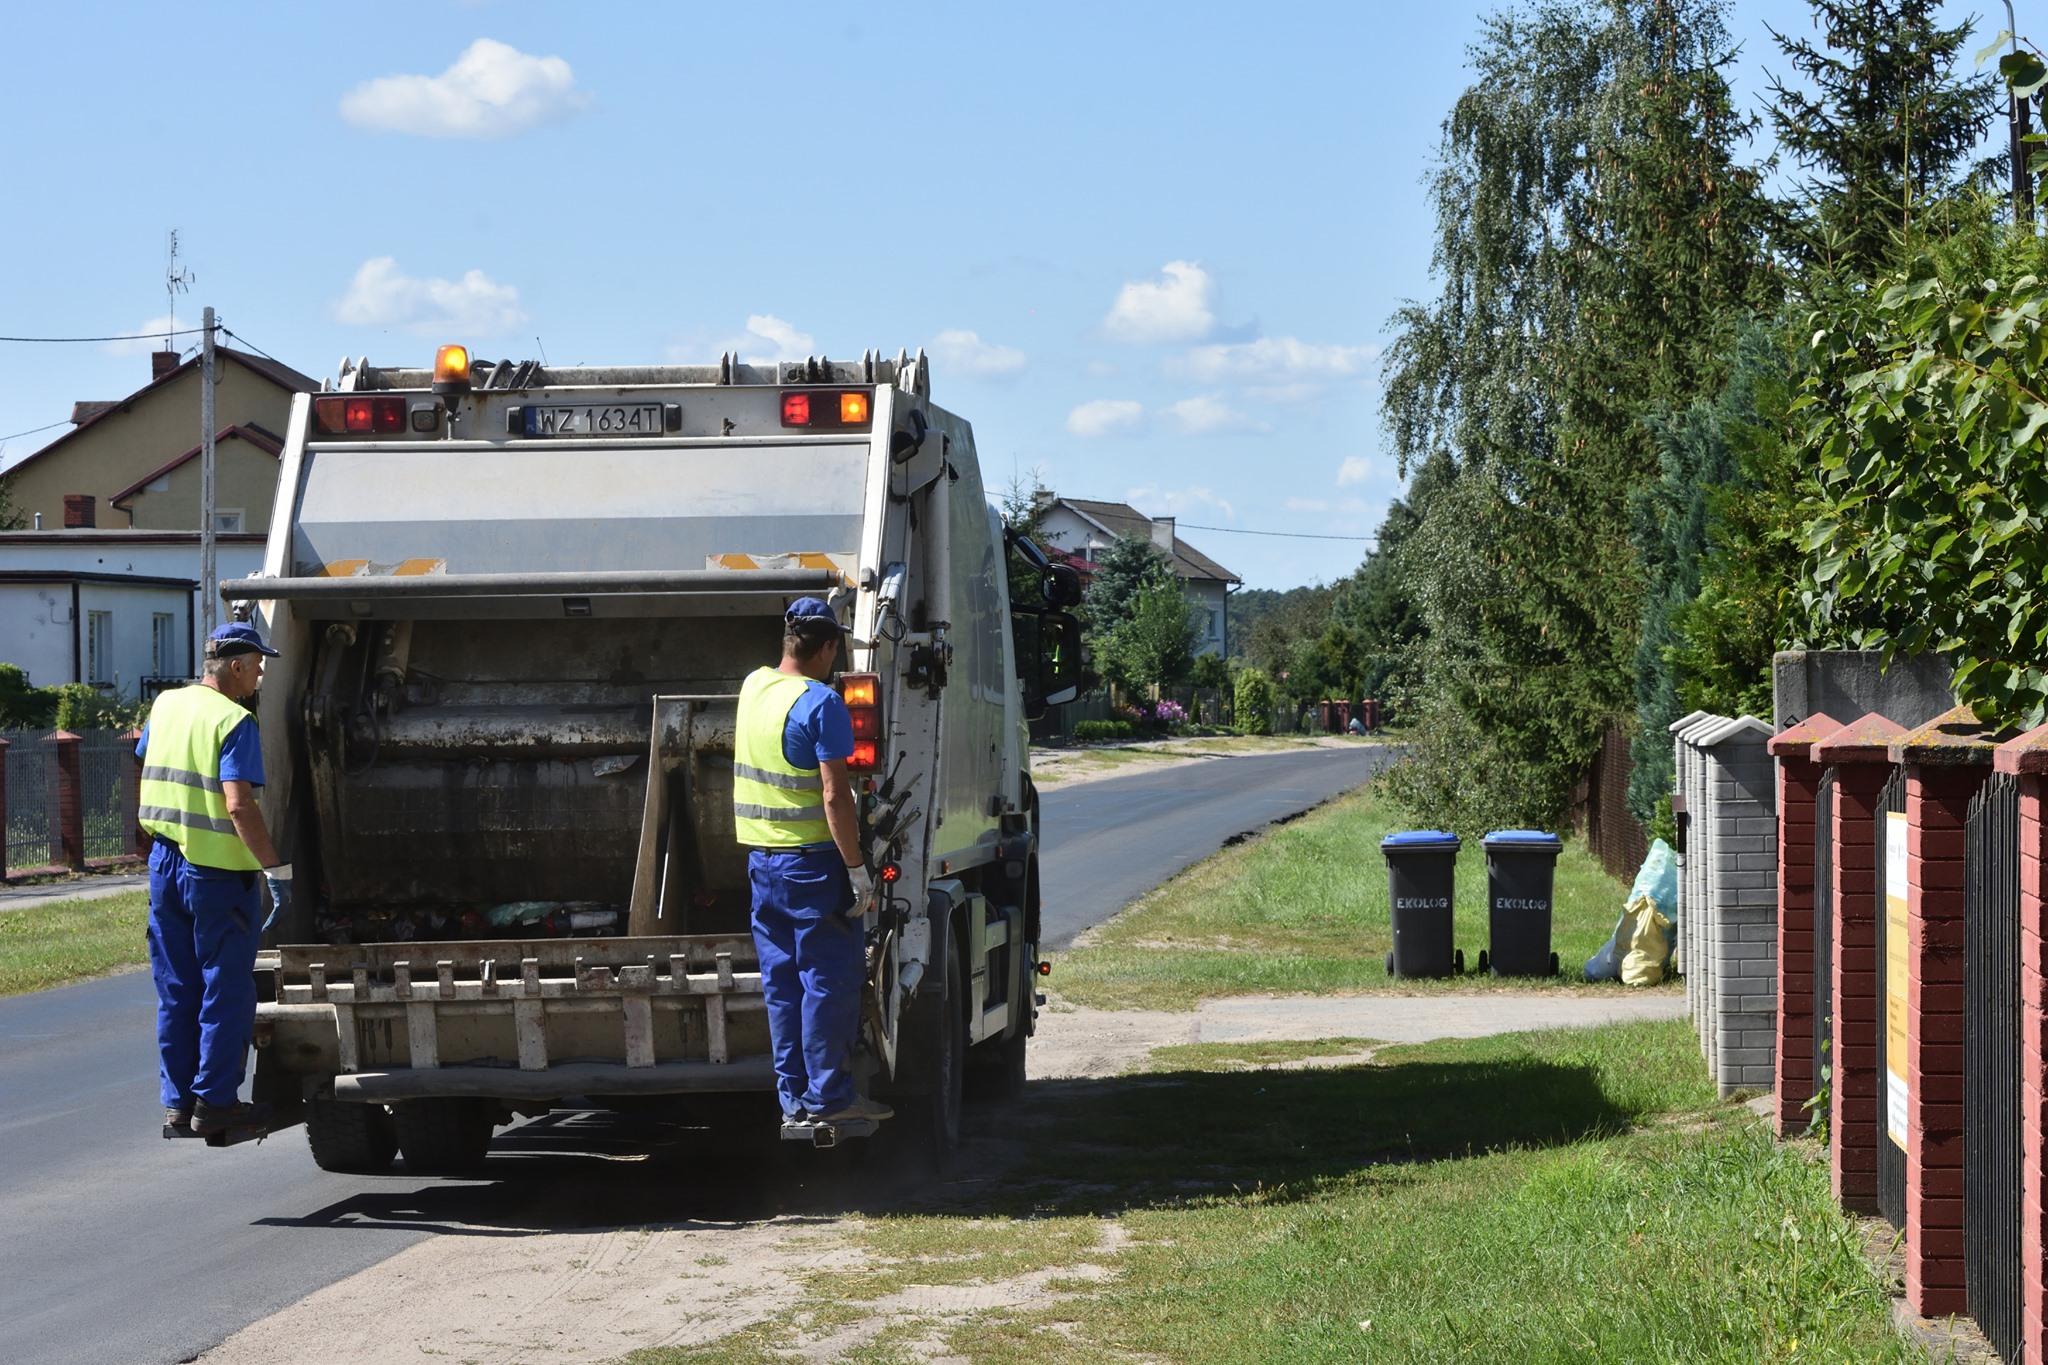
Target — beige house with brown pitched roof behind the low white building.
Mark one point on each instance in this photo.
(134, 464)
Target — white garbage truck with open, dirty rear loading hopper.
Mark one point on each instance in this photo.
(515, 607)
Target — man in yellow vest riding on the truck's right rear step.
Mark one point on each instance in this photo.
(794, 811)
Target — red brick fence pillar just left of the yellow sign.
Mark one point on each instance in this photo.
(1861, 756)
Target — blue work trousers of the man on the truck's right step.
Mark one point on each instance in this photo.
(812, 969)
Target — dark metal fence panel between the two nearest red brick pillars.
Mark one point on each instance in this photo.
(1992, 1137)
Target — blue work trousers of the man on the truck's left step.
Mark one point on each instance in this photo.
(204, 930)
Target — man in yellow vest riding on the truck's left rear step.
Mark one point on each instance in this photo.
(202, 764)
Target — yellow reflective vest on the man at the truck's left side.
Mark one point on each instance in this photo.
(181, 777)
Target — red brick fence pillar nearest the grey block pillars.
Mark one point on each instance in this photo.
(1799, 783)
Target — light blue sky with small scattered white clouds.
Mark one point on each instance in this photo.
(1152, 249)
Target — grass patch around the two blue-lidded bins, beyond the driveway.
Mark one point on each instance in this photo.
(1304, 910)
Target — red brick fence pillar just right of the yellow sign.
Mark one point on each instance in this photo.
(1947, 762)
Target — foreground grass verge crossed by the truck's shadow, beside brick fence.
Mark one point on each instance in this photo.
(1568, 1196)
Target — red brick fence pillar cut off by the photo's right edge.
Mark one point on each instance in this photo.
(2026, 760)
